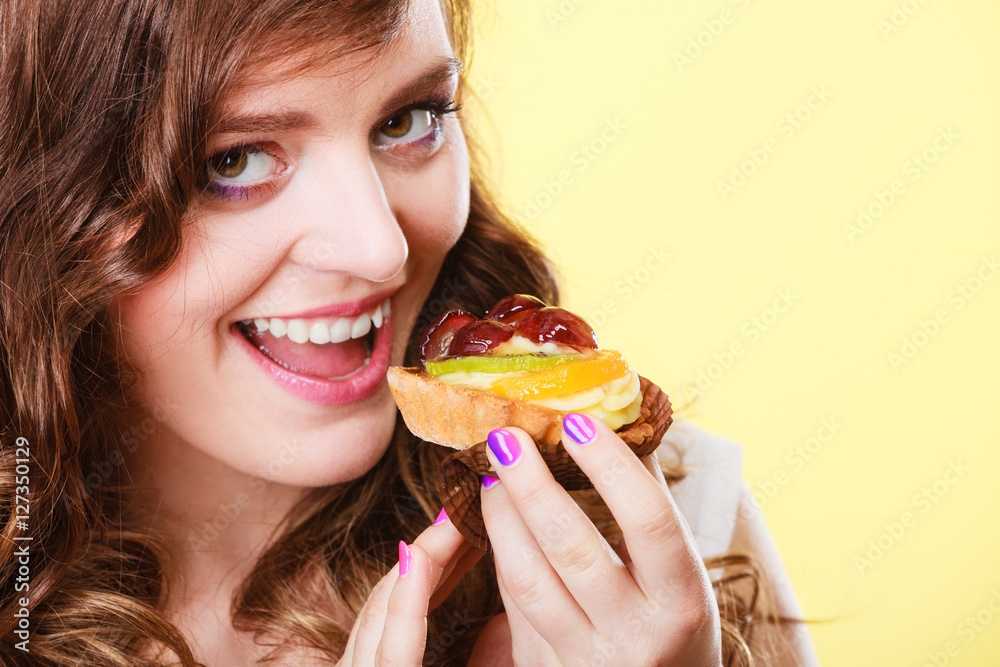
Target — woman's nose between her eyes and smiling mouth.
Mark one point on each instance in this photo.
(347, 223)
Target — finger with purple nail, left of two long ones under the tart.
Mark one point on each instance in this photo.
(576, 550)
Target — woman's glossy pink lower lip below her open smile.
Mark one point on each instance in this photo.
(329, 392)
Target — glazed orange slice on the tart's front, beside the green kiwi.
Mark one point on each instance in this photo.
(564, 379)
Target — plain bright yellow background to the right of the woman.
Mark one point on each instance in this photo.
(555, 75)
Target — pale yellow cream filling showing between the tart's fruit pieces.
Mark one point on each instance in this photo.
(616, 402)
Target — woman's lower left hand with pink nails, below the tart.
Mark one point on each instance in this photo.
(392, 626)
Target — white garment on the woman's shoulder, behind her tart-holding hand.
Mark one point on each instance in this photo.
(709, 496)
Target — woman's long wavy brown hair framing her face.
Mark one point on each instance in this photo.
(106, 107)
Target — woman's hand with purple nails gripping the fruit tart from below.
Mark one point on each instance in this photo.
(570, 598)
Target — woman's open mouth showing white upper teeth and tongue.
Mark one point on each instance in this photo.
(325, 348)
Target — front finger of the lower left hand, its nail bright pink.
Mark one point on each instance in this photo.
(405, 630)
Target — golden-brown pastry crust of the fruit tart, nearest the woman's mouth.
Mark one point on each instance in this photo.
(460, 417)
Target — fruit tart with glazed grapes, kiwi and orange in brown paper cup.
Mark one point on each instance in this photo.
(523, 364)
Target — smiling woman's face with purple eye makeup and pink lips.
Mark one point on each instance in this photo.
(335, 196)
